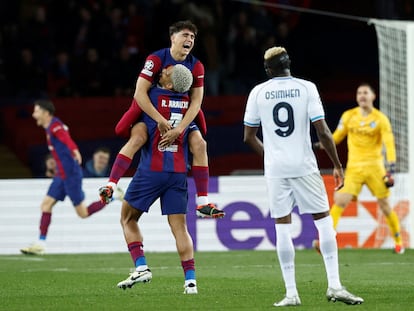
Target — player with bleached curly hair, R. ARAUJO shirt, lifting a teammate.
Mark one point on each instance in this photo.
(162, 173)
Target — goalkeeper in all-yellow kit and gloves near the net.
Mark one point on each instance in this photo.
(368, 130)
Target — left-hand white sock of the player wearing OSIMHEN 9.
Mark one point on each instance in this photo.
(286, 255)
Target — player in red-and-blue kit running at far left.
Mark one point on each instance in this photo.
(67, 180)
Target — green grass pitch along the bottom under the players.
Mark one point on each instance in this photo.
(233, 280)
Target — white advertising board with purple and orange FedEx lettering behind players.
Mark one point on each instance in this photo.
(248, 225)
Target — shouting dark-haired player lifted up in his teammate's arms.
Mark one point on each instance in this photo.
(182, 35)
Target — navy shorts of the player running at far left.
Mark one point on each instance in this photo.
(71, 186)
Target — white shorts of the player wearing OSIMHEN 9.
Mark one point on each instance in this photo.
(307, 192)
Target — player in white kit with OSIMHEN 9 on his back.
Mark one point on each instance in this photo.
(285, 106)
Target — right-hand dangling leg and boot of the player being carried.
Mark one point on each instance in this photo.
(200, 170)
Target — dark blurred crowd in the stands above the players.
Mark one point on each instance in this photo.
(96, 47)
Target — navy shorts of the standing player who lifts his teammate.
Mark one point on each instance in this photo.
(147, 186)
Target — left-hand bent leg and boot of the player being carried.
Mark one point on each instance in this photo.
(123, 160)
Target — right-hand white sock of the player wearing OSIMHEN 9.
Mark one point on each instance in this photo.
(329, 250)
